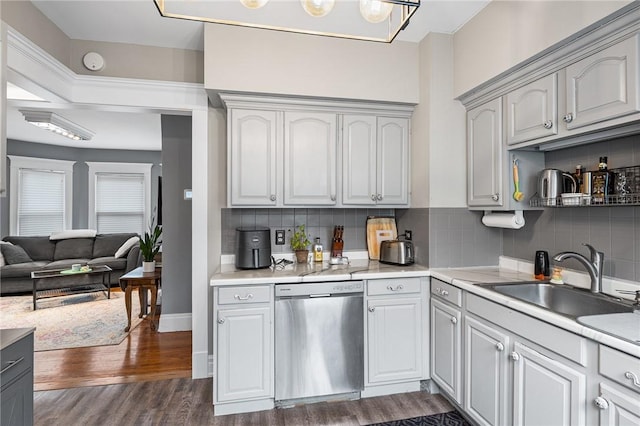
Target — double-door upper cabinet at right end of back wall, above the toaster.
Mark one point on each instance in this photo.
(375, 167)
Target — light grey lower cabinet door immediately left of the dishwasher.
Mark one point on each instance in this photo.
(244, 354)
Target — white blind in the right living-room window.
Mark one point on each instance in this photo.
(120, 202)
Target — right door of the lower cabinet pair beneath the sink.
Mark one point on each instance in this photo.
(546, 391)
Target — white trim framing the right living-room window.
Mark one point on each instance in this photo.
(125, 168)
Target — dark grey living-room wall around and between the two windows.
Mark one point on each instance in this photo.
(80, 212)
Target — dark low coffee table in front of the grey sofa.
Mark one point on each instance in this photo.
(63, 282)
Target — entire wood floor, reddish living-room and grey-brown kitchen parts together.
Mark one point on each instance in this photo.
(146, 380)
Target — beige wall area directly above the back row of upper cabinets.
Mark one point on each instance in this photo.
(254, 60)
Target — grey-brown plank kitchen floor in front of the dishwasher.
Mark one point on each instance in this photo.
(189, 402)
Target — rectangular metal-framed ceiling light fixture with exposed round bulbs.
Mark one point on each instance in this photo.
(369, 20)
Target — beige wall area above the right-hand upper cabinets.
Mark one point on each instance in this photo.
(505, 33)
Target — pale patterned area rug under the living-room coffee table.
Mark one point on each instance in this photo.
(71, 321)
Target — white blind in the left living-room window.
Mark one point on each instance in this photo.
(41, 202)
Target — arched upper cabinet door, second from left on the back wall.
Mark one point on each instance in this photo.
(310, 158)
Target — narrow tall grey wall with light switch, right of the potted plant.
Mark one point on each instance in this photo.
(176, 214)
